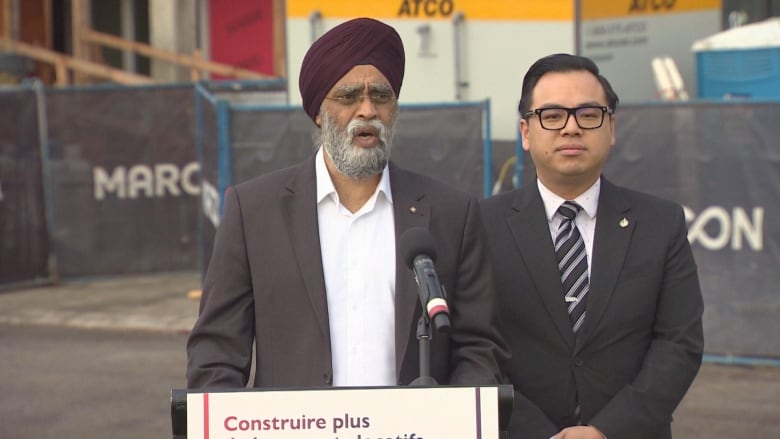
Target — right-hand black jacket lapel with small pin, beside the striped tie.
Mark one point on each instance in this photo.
(614, 228)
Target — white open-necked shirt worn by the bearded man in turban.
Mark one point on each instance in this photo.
(358, 260)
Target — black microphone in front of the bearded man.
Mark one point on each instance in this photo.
(419, 252)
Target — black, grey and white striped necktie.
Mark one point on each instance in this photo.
(572, 263)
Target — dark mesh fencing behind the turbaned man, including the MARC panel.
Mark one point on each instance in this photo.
(106, 180)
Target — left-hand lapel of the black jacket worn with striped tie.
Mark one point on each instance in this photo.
(528, 224)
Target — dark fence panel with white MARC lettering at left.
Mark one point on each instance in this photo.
(124, 179)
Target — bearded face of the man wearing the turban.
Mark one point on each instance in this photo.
(357, 119)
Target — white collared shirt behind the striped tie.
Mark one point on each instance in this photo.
(585, 219)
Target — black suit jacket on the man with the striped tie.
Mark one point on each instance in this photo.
(641, 343)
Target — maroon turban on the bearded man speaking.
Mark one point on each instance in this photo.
(355, 42)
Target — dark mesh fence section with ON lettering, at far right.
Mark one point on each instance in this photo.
(721, 161)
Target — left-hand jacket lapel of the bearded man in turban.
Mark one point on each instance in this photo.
(299, 207)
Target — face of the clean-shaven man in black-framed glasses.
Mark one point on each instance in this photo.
(569, 156)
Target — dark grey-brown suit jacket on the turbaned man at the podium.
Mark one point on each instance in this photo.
(265, 283)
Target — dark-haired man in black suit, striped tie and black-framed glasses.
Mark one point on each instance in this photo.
(597, 286)
